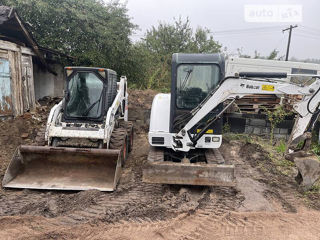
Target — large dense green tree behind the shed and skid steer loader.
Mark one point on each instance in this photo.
(95, 32)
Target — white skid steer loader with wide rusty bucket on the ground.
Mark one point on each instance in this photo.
(86, 140)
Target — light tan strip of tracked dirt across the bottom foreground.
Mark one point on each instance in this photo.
(204, 225)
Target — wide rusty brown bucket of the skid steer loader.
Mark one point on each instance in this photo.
(58, 168)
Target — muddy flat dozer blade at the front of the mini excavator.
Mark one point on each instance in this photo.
(166, 172)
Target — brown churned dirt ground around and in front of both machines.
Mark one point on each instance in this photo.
(265, 204)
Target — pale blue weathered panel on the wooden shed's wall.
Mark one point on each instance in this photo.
(5, 88)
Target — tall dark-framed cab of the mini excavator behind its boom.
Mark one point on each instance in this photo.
(193, 77)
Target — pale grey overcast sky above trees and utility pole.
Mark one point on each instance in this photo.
(225, 15)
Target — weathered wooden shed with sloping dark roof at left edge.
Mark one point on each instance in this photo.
(21, 58)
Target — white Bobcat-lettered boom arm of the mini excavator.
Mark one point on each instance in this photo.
(249, 84)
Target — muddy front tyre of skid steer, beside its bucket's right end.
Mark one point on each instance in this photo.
(118, 141)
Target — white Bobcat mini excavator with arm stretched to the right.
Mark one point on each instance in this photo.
(186, 125)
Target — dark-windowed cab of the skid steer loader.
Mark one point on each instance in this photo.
(89, 92)
